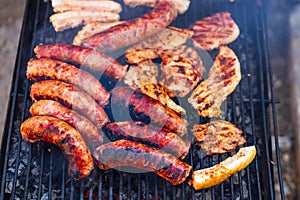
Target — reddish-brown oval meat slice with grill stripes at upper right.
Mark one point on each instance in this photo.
(214, 31)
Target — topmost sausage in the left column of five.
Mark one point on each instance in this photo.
(85, 57)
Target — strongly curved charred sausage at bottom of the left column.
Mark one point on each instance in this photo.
(58, 132)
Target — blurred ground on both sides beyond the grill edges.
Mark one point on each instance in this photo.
(279, 13)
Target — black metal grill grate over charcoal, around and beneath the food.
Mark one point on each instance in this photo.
(39, 170)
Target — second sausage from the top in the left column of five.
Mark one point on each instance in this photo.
(46, 68)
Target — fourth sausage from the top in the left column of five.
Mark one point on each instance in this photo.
(85, 127)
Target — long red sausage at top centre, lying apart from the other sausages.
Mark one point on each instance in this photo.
(132, 31)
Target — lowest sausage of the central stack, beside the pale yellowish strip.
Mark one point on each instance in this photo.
(138, 155)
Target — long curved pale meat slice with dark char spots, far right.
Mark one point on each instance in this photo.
(223, 78)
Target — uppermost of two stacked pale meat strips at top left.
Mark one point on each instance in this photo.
(91, 5)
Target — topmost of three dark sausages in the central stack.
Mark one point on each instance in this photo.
(143, 107)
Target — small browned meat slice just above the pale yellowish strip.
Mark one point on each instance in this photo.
(218, 137)
